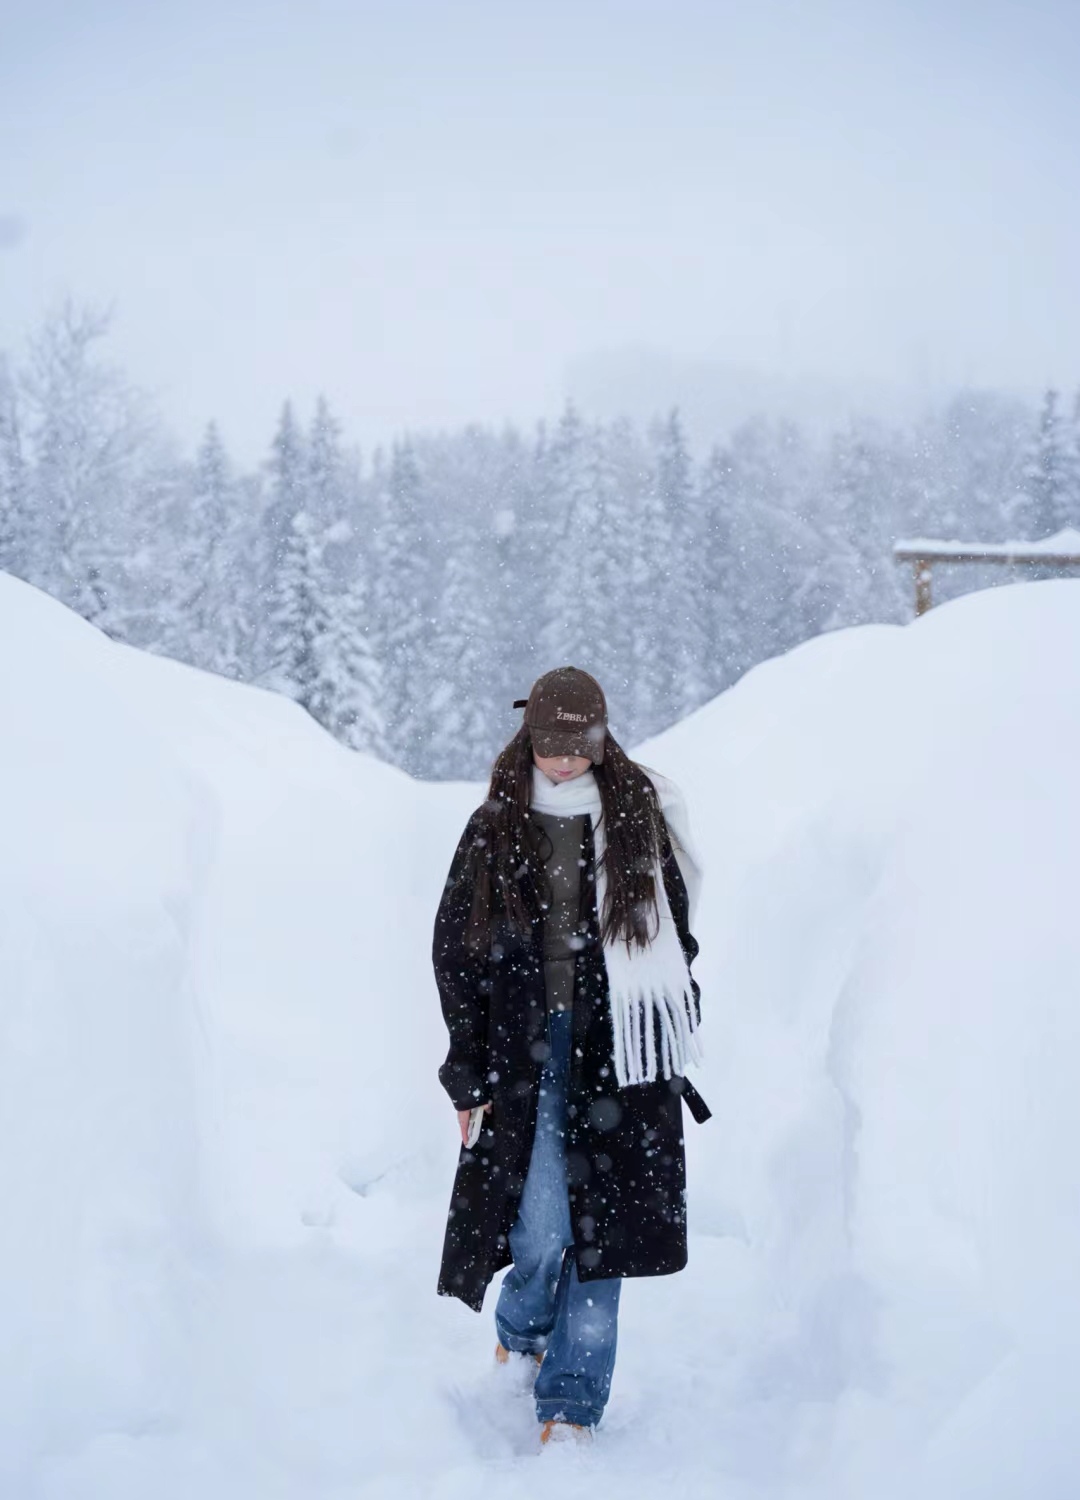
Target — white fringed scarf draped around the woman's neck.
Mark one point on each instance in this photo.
(644, 985)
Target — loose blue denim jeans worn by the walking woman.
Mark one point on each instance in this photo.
(542, 1306)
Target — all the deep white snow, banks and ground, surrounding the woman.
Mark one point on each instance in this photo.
(226, 1159)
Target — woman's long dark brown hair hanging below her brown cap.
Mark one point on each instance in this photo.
(506, 865)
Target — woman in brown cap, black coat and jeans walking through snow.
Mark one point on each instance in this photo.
(563, 961)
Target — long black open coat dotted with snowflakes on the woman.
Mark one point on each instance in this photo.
(626, 1165)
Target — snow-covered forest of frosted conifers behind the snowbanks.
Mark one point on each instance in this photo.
(407, 596)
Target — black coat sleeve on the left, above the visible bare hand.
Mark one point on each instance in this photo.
(461, 979)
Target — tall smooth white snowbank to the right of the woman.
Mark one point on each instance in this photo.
(895, 827)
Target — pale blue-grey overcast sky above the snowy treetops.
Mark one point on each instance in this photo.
(431, 209)
